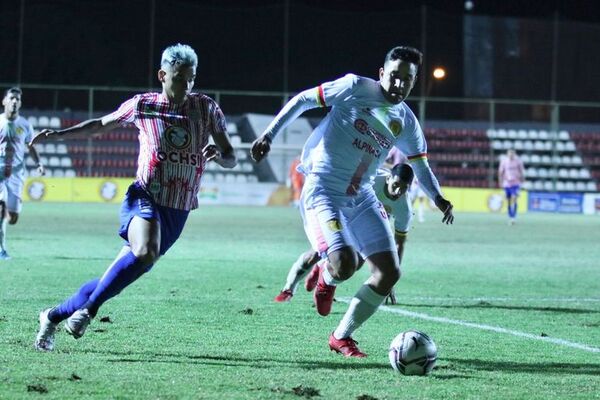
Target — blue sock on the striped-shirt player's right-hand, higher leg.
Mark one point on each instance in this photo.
(120, 275)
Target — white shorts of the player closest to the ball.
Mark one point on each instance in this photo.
(332, 222)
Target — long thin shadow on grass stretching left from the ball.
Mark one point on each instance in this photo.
(234, 360)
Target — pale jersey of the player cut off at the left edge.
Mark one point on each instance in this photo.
(14, 137)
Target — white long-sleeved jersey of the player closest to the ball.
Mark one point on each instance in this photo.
(345, 150)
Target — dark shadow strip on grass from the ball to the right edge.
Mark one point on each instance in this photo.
(534, 368)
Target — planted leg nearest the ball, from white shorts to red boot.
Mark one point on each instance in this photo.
(374, 239)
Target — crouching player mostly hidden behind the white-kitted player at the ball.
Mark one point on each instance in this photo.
(391, 190)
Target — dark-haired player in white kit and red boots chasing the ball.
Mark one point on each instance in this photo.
(342, 216)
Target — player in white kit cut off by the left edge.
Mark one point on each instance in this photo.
(15, 134)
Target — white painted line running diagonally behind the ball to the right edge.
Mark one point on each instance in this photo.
(491, 328)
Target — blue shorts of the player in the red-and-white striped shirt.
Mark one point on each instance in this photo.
(139, 203)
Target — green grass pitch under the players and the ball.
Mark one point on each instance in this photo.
(203, 324)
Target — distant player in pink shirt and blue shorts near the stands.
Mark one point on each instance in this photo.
(511, 174)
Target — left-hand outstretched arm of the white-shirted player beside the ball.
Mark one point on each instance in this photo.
(298, 104)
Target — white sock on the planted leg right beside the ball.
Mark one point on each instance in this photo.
(364, 304)
